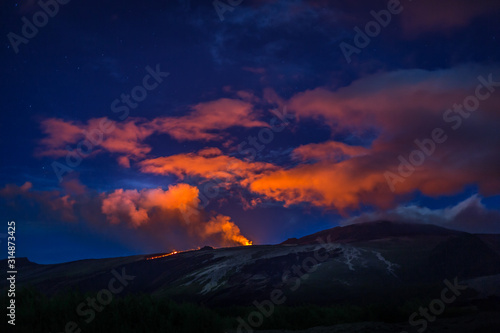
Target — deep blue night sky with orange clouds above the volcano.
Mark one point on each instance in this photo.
(132, 127)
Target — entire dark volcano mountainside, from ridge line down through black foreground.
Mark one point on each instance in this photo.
(381, 271)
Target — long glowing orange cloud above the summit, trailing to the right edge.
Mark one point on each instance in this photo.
(361, 180)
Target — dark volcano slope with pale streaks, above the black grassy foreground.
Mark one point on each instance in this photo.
(341, 263)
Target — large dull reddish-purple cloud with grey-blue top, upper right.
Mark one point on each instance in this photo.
(388, 100)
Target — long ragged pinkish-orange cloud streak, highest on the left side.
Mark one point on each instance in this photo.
(126, 138)
